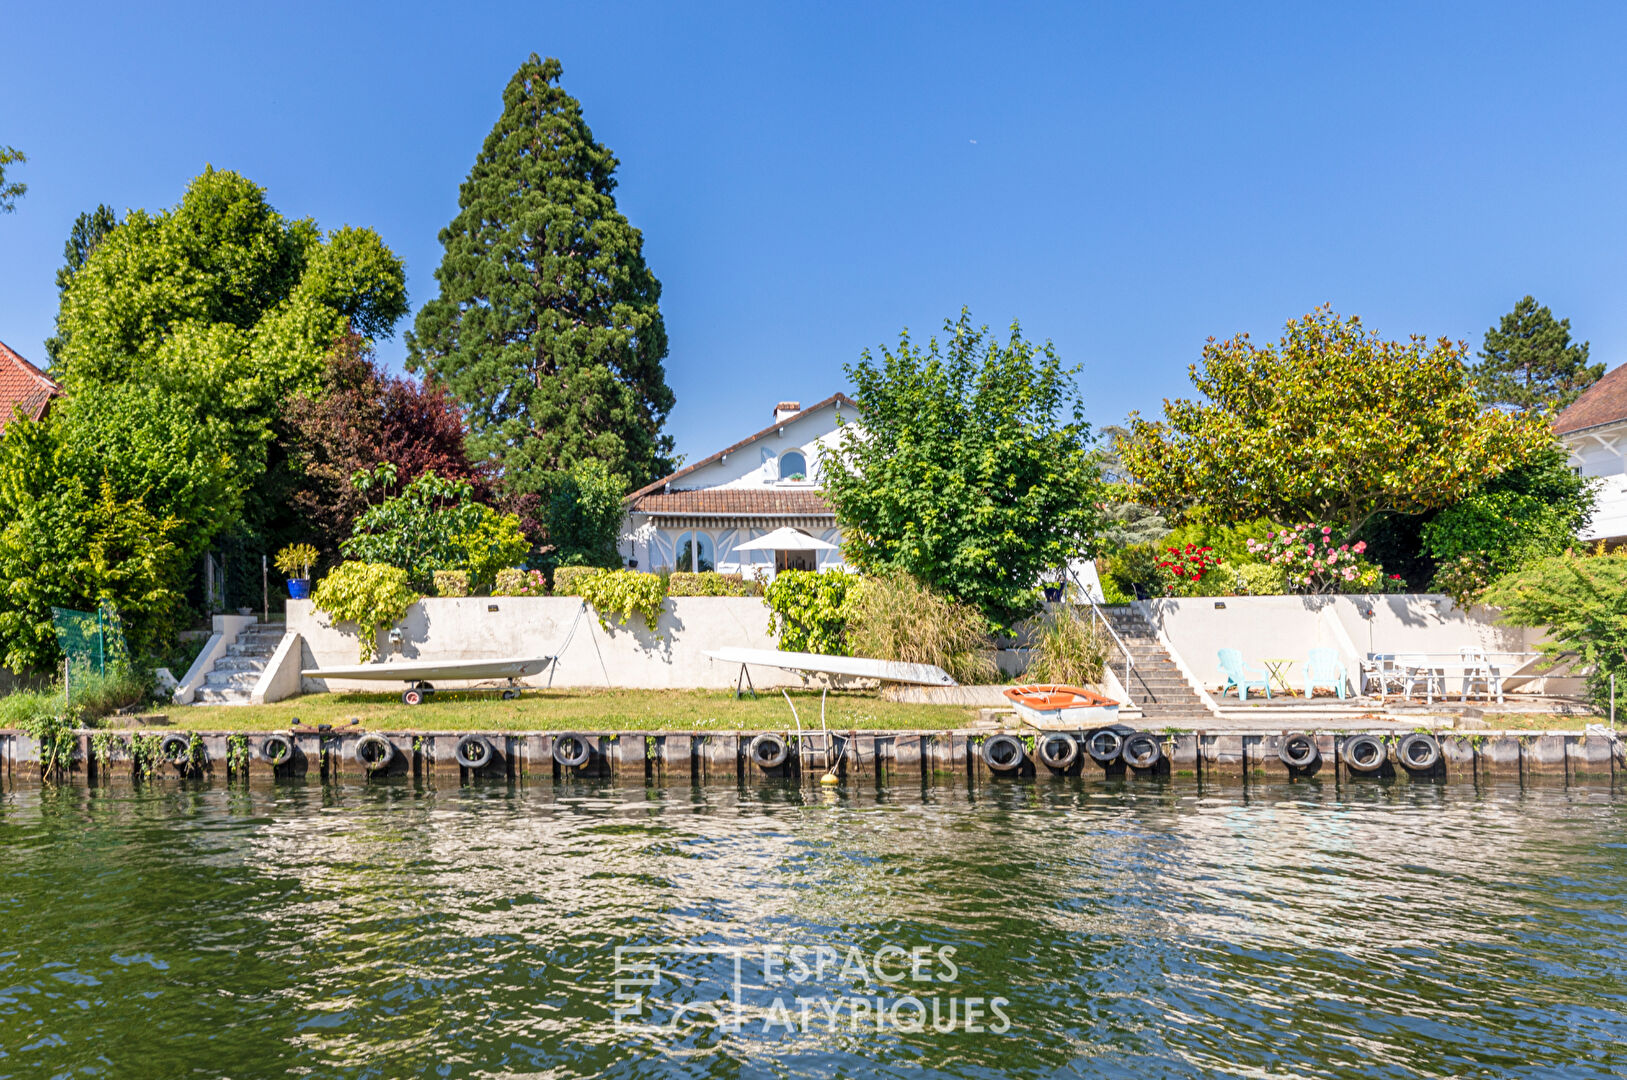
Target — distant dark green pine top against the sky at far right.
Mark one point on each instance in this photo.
(1529, 362)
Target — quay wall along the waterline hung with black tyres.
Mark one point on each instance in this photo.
(855, 757)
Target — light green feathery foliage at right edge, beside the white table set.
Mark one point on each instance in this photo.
(1582, 603)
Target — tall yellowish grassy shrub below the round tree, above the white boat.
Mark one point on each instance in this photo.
(899, 619)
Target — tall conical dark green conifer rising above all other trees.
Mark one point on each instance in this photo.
(547, 324)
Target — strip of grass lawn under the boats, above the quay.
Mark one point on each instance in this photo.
(580, 710)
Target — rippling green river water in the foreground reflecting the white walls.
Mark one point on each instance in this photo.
(1011, 931)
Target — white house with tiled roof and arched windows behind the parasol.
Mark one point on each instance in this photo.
(697, 518)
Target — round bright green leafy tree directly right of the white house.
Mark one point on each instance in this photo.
(974, 469)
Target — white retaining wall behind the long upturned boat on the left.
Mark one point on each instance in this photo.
(473, 629)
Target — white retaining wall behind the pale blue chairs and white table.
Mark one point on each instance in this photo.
(1356, 625)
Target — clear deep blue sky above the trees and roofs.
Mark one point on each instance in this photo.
(1125, 180)
